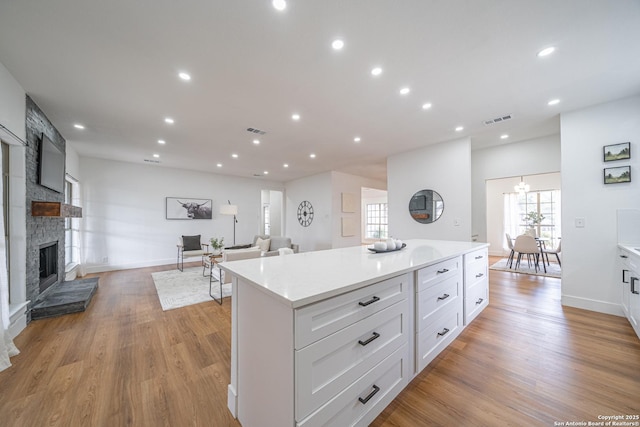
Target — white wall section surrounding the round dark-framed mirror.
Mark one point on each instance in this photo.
(445, 168)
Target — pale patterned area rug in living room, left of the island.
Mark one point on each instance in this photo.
(181, 288)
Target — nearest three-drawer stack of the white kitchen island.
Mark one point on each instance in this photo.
(376, 320)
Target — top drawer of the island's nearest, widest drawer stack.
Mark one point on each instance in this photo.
(318, 320)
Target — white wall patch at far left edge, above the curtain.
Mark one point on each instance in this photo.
(12, 104)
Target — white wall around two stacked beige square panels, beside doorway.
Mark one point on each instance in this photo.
(351, 184)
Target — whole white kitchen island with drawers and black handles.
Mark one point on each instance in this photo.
(331, 337)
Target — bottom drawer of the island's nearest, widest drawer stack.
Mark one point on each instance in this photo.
(361, 402)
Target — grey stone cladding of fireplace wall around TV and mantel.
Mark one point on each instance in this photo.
(40, 230)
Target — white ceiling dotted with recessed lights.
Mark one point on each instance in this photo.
(113, 65)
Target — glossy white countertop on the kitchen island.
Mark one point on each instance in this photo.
(305, 278)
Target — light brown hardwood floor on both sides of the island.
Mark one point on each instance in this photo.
(526, 360)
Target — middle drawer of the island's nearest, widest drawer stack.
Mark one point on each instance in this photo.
(326, 367)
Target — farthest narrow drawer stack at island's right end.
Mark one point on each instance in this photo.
(476, 284)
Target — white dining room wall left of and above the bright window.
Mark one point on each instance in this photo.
(495, 190)
